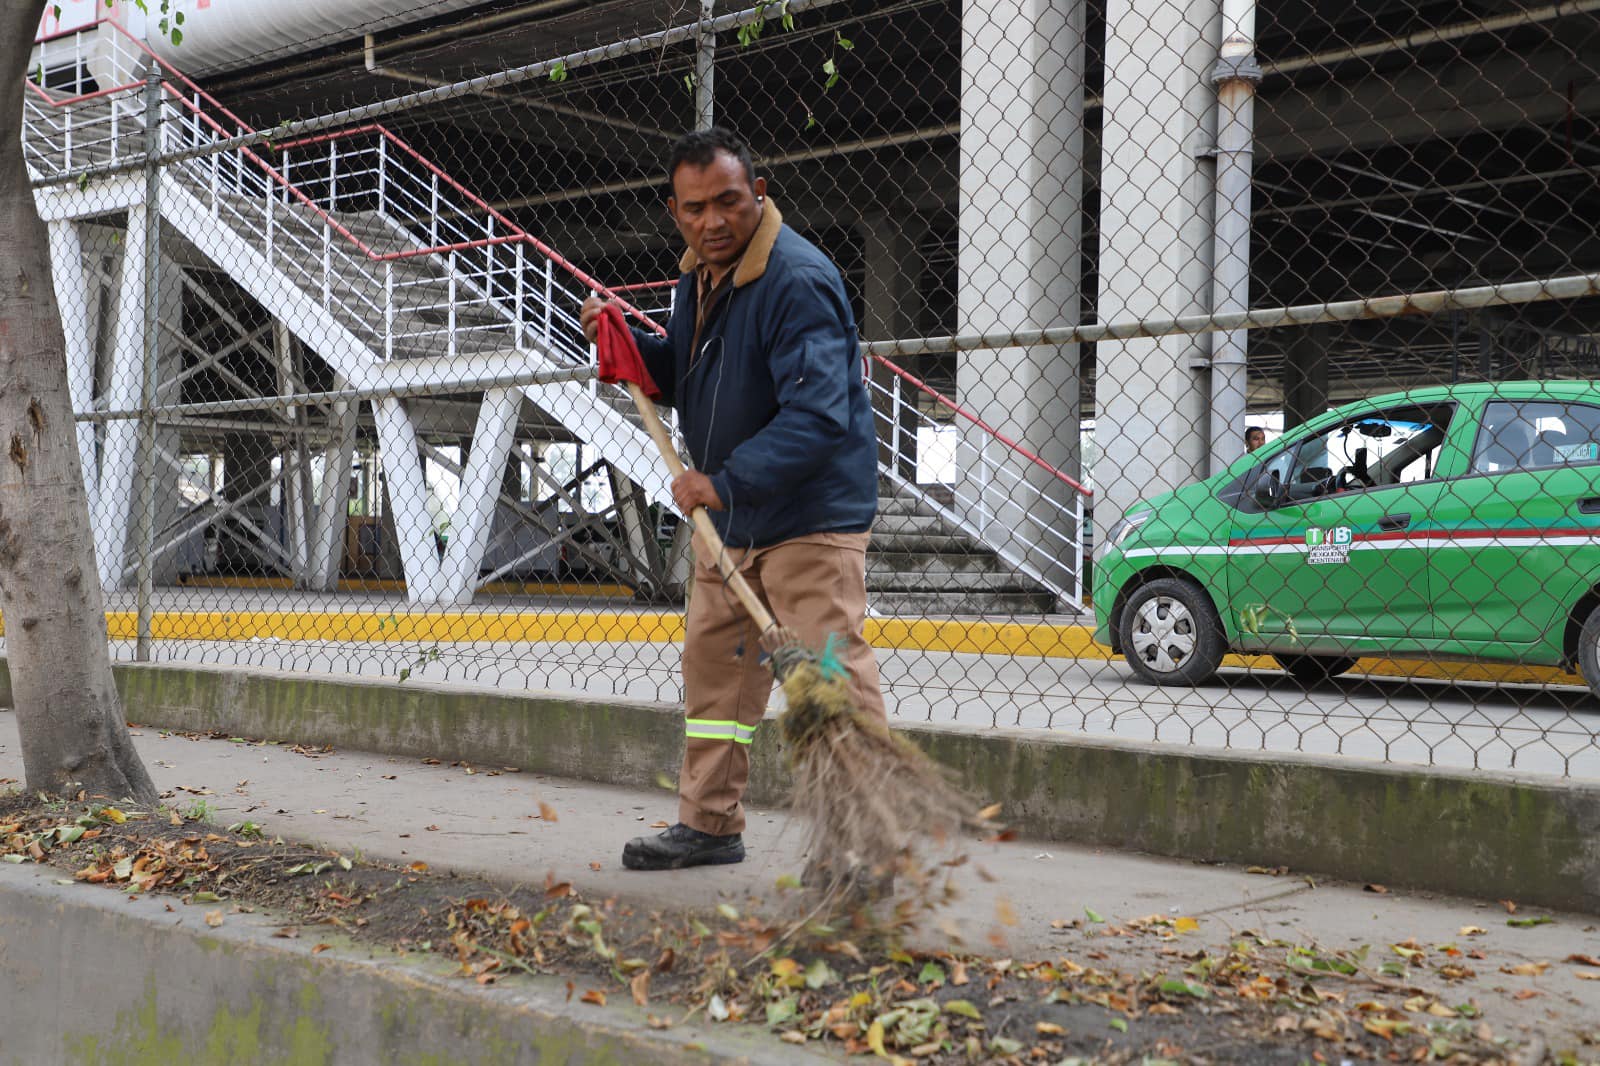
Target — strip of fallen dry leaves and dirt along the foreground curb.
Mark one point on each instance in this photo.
(1262, 1001)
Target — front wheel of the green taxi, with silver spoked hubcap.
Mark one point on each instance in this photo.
(1172, 633)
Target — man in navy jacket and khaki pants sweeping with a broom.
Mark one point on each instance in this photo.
(762, 364)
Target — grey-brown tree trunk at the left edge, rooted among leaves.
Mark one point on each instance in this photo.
(74, 735)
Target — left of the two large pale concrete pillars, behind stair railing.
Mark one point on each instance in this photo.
(1022, 186)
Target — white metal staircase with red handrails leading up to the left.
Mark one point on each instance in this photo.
(393, 273)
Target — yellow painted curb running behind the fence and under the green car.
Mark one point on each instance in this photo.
(953, 636)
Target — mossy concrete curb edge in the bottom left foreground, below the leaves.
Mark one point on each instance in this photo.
(166, 988)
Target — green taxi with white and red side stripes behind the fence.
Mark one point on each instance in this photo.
(1452, 524)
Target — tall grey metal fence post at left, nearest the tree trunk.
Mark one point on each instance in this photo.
(145, 529)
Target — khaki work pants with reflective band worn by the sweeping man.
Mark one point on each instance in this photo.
(814, 585)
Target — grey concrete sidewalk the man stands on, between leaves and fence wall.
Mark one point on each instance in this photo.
(487, 820)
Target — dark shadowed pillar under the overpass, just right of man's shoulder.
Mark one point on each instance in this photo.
(892, 305)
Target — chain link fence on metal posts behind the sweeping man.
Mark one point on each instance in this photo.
(1233, 364)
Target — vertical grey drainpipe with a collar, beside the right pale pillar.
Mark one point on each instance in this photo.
(1236, 78)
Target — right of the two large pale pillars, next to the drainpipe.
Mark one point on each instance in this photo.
(1151, 396)
